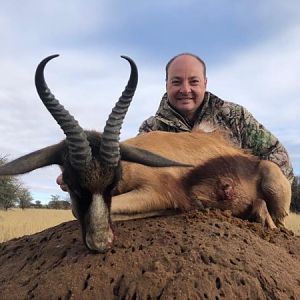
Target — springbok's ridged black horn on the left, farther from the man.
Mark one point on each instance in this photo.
(78, 145)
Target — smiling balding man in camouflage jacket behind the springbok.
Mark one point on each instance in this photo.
(187, 105)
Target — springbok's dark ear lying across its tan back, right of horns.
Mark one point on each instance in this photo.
(147, 158)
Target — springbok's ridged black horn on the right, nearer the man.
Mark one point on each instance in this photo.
(110, 149)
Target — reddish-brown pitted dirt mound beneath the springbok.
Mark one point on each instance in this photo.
(199, 255)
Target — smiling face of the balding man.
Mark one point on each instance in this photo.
(186, 85)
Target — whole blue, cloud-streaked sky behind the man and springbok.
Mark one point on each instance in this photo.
(251, 48)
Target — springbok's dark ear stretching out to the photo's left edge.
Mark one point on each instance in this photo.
(41, 158)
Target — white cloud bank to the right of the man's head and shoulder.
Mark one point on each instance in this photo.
(265, 79)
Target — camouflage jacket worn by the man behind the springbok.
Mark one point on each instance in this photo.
(243, 128)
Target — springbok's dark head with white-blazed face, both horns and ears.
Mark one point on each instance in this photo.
(90, 160)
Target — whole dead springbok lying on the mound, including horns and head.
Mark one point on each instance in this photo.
(135, 179)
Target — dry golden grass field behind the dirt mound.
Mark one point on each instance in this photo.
(16, 222)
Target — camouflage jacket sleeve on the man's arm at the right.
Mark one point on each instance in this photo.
(263, 143)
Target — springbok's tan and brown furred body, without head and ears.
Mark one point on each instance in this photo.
(224, 177)
